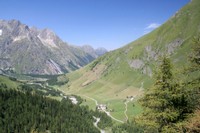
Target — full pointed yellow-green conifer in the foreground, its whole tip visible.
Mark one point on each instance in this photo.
(163, 102)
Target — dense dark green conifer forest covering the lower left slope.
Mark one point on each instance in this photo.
(23, 112)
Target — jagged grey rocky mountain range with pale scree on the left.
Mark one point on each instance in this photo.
(28, 50)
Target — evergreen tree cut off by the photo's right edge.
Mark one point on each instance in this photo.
(192, 85)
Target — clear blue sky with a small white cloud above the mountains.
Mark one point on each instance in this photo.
(99, 23)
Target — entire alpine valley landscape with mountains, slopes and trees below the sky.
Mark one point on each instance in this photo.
(151, 85)
